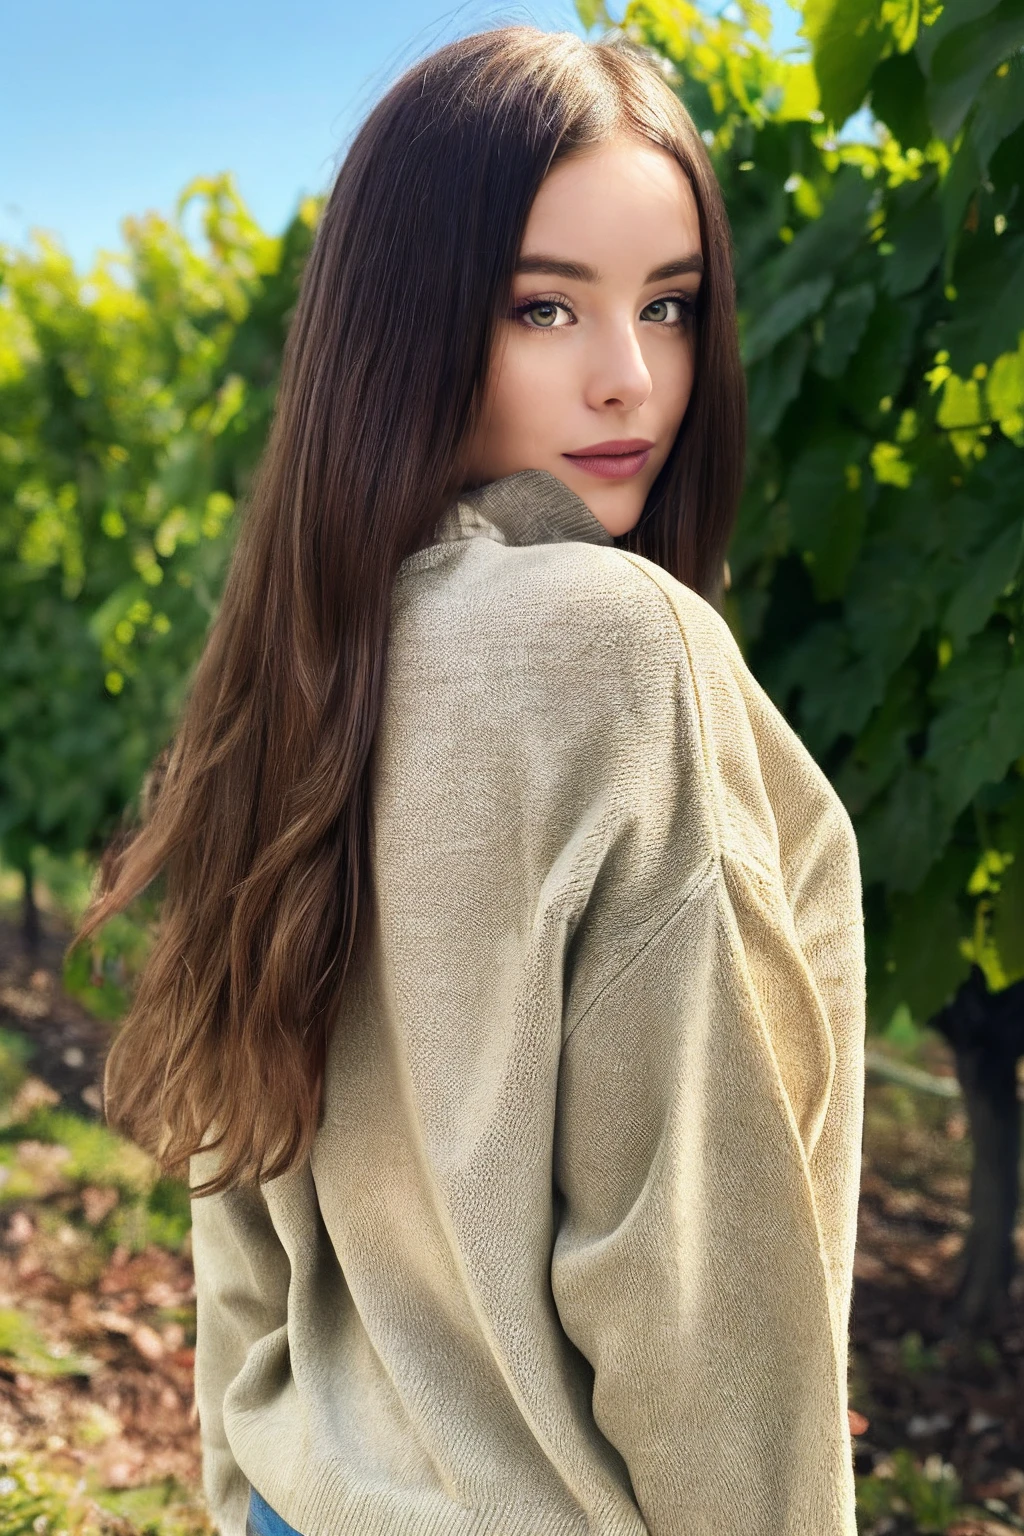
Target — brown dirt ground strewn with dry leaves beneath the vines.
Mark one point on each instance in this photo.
(133, 1418)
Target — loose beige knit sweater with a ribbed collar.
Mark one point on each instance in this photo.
(573, 1253)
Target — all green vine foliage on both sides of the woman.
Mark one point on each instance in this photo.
(877, 561)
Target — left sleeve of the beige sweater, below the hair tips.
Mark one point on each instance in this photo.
(242, 1285)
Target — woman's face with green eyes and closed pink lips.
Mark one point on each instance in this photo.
(593, 368)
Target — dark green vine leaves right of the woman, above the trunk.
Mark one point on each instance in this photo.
(879, 554)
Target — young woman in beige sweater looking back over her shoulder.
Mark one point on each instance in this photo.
(507, 1002)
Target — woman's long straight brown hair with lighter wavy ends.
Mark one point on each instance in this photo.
(262, 826)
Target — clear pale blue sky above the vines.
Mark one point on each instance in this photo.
(110, 108)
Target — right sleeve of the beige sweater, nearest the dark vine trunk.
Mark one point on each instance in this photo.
(709, 1142)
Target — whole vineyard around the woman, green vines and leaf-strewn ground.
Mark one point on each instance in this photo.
(876, 589)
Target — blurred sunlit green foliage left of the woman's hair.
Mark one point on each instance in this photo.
(133, 406)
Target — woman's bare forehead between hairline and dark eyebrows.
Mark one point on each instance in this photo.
(626, 197)
